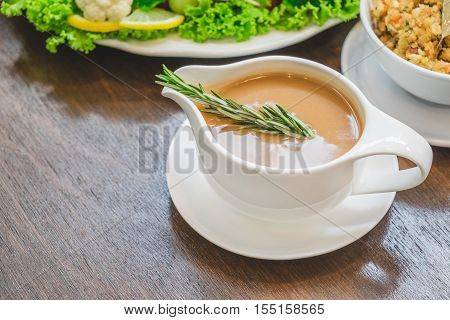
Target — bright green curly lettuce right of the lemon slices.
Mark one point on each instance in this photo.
(240, 20)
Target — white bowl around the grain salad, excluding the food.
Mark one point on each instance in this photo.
(423, 83)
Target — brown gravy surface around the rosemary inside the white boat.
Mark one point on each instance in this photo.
(337, 125)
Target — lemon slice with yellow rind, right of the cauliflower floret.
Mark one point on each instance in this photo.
(155, 19)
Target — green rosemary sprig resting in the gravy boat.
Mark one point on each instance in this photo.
(272, 119)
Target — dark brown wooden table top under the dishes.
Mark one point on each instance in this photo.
(80, 218)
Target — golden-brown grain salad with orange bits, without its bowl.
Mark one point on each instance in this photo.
(412, 29)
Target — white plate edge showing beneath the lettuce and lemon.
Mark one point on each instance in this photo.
(174, 46)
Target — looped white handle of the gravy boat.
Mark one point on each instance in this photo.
(387, 136)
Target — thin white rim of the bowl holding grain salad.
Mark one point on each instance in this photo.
(364, 14)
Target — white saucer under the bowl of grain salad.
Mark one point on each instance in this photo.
(359, 64)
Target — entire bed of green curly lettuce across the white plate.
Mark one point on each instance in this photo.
(232, 19)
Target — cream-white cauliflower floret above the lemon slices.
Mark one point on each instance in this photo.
(101, 10)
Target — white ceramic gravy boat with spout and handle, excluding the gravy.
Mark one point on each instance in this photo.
(319, 187)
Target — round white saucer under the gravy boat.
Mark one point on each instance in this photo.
(225, 224)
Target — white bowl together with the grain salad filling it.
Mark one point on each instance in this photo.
(404, 45)
